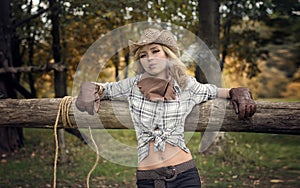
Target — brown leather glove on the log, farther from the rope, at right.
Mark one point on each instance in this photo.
(242, 102)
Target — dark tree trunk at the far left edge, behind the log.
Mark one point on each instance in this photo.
(11, 138)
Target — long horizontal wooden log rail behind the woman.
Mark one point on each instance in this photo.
(214, 115)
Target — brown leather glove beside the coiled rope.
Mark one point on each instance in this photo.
(89, 97)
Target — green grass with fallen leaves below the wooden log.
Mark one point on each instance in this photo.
(246, 160)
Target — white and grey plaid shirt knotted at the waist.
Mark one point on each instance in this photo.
(168, 116)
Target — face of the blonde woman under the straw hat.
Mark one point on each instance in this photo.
(154, 60)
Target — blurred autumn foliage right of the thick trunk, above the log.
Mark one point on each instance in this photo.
(261, 53)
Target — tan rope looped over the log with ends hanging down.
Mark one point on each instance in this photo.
(63, 111)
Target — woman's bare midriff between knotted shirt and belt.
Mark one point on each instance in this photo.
(172, 155)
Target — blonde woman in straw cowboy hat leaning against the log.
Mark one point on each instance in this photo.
(160, 97)
